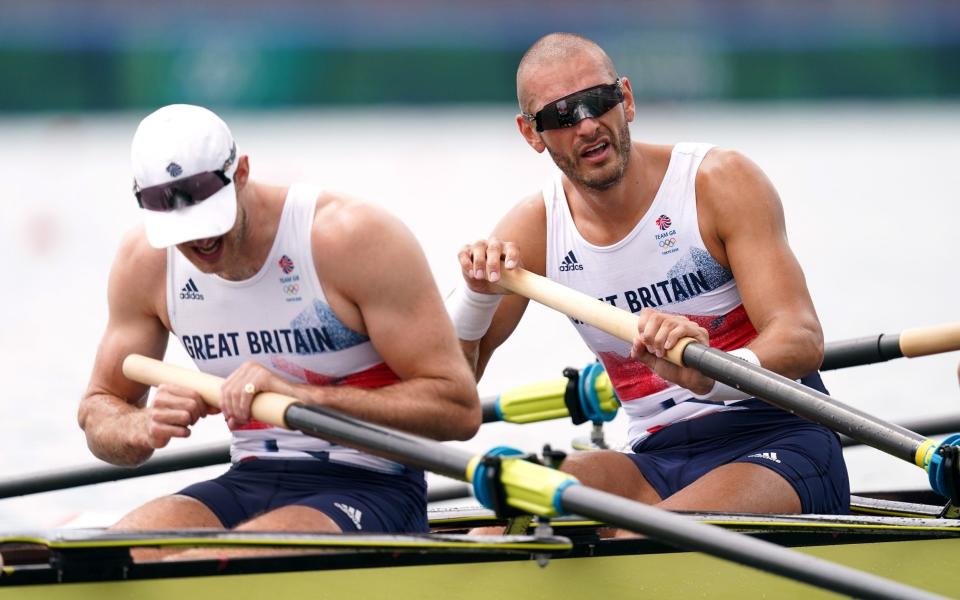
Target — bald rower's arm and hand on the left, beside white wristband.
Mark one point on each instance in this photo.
(525, 227)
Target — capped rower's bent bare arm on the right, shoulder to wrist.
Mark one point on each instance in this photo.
(373, 265)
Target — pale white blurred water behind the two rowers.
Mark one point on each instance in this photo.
(870, 195)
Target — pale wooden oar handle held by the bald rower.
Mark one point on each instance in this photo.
(603, 316)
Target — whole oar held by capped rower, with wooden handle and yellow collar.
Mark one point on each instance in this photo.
(534, 488)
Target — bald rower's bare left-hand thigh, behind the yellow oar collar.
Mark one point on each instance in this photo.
(611, 472)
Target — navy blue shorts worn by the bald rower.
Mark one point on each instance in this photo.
(807, 455)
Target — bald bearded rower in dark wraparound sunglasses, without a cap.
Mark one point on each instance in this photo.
(692, 239)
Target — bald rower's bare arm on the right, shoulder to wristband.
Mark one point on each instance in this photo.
(743, 226)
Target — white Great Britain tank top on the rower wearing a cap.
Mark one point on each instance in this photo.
(279, 318)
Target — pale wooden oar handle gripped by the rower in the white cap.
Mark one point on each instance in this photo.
(267, 407)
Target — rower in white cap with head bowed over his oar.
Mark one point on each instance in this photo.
(277, 289)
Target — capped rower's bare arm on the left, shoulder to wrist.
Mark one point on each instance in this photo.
(112, 409)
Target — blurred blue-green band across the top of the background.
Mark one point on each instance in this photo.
(57, 55)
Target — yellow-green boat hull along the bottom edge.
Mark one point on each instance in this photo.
(597, 568)
